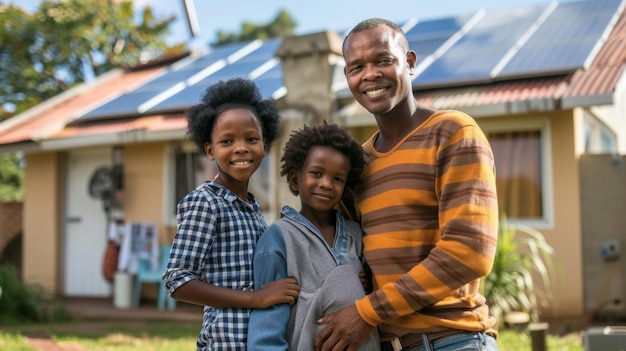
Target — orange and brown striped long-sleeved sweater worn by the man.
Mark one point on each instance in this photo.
(429, 211)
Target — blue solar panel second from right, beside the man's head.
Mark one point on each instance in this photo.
(474, 55)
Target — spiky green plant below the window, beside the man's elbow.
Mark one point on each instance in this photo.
(523, 256)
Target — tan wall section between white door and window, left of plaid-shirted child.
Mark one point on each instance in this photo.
(144, 172)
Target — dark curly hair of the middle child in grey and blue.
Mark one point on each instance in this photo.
(303, 140)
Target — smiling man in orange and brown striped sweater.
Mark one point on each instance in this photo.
(428, 207)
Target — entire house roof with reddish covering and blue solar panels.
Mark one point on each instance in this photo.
(503, 61)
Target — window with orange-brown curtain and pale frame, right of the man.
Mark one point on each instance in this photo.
(521, 155)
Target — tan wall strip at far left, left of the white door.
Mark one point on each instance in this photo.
(42, 213)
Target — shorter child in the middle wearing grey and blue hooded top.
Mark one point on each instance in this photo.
(317, 245)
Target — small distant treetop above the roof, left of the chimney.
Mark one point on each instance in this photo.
(283, 25)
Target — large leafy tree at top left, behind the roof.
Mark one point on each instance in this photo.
(65, 42)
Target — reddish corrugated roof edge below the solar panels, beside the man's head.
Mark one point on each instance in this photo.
(586, 86)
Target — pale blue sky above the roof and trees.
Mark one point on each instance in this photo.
(311, 16)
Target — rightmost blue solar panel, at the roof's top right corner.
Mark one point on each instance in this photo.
(566, 39)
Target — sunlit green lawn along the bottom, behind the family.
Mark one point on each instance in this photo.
(181, 336)
